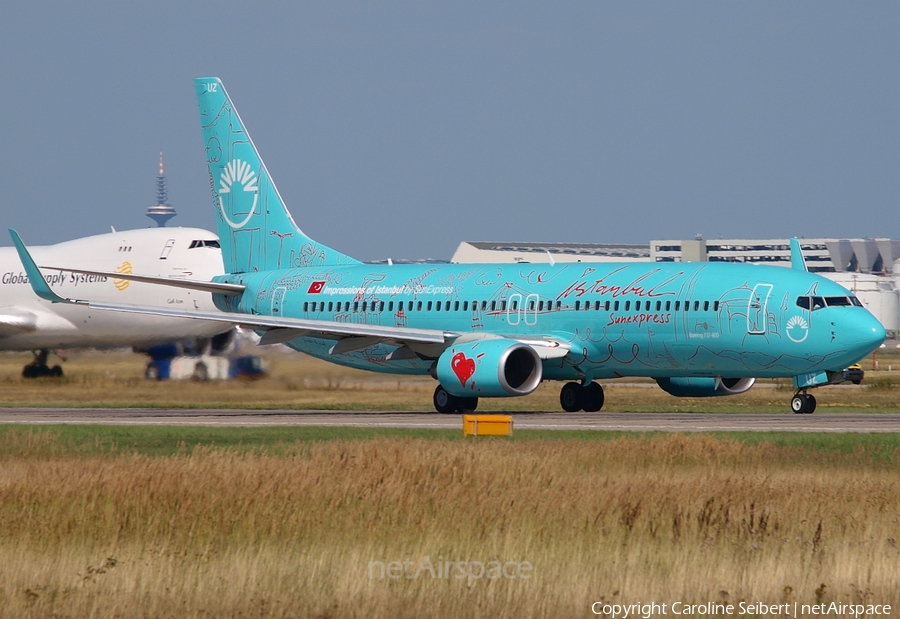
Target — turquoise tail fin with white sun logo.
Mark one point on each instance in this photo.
(256, 231)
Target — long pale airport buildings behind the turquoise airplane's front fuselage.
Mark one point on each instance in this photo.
(870, 268)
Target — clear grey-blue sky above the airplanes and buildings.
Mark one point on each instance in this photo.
(400, 129)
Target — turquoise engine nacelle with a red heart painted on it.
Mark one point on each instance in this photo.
(491, 368)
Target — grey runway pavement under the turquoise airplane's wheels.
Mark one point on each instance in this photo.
(629, 422)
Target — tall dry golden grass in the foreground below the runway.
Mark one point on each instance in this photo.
(222, 533)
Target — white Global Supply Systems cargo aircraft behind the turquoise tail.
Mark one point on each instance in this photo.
(30, 323)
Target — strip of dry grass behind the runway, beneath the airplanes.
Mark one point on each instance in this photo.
(101, 379)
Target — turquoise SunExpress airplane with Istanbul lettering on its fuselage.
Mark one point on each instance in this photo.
(698, 329)
